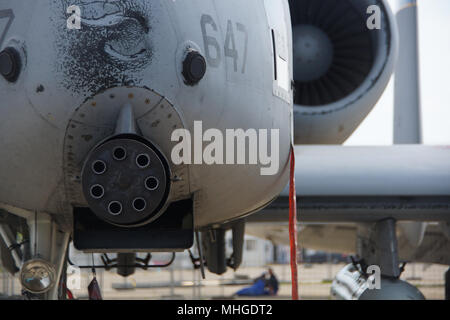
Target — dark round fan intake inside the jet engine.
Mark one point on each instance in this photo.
(333, 52)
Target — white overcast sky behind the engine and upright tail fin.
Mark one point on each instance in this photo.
(434, 42)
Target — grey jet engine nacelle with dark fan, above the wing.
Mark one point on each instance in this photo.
(344, 56)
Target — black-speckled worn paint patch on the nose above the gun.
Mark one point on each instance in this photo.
(110, 49)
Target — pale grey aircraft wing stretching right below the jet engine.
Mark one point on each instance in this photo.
(364, 184)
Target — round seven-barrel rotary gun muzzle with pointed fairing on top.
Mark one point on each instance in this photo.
(126, 179)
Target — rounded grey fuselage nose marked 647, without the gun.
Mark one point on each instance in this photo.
(72, 84)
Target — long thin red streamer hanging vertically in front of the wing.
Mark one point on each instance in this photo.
(293, 227)
